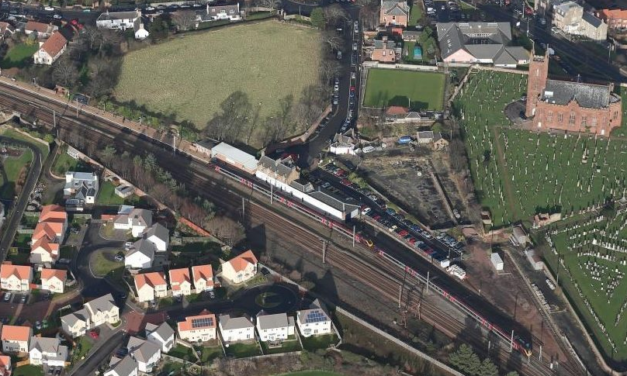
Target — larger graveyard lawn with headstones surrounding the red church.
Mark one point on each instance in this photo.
(519, 173)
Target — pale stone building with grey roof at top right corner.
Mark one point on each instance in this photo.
(571, 18)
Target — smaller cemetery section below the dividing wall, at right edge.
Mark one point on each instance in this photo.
(579, 276)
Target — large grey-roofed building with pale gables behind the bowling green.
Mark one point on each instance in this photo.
(480, 43)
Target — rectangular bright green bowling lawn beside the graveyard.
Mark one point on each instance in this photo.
(385, 87)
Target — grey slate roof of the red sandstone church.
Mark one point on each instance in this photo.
(587, 95)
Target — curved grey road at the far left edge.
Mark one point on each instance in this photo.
(10, 226)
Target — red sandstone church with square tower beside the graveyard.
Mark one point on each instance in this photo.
(570, 106)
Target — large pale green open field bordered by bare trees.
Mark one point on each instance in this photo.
(267, 61)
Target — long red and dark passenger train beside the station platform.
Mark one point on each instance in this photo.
(517, 343)
